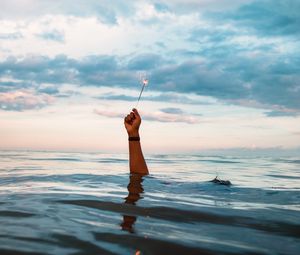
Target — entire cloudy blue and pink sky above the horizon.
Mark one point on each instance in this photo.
(222, 74)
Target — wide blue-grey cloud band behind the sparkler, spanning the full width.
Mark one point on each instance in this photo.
(268, 80)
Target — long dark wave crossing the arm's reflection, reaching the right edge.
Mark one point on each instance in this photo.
(179, 215)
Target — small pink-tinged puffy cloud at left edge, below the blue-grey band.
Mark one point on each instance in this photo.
(23, 100)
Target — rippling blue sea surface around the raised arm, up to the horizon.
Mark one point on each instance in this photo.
(87, 203)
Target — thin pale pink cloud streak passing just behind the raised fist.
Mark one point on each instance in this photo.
(154, 116)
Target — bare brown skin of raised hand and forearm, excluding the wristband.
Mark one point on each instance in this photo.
(137, 163)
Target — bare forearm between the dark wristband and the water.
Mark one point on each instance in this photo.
(137, 163)
